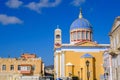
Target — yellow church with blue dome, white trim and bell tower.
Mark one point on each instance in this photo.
(82, 57)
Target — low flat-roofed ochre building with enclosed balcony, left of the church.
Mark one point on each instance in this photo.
(28, 66)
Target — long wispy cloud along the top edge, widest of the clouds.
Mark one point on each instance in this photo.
(42, 4)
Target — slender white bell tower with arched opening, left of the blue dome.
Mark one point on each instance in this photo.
(57, 38)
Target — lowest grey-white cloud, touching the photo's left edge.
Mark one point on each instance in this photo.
(5, 20)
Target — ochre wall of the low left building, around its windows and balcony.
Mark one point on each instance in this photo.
(16, 73)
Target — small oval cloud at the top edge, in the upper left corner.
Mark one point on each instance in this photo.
(14, 3)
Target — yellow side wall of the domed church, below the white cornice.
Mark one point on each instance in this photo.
(76, 60)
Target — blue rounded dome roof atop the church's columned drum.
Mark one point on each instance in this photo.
(80, 23)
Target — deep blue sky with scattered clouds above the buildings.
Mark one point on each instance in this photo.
(28, 25)
